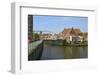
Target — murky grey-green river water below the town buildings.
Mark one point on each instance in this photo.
(63, 52)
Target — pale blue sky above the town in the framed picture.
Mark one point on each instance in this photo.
(58, 23)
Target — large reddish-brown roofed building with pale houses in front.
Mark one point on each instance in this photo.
(73, 35)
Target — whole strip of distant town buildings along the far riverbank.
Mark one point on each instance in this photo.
(68, 34)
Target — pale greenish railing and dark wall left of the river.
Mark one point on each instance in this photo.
(35, 50)
